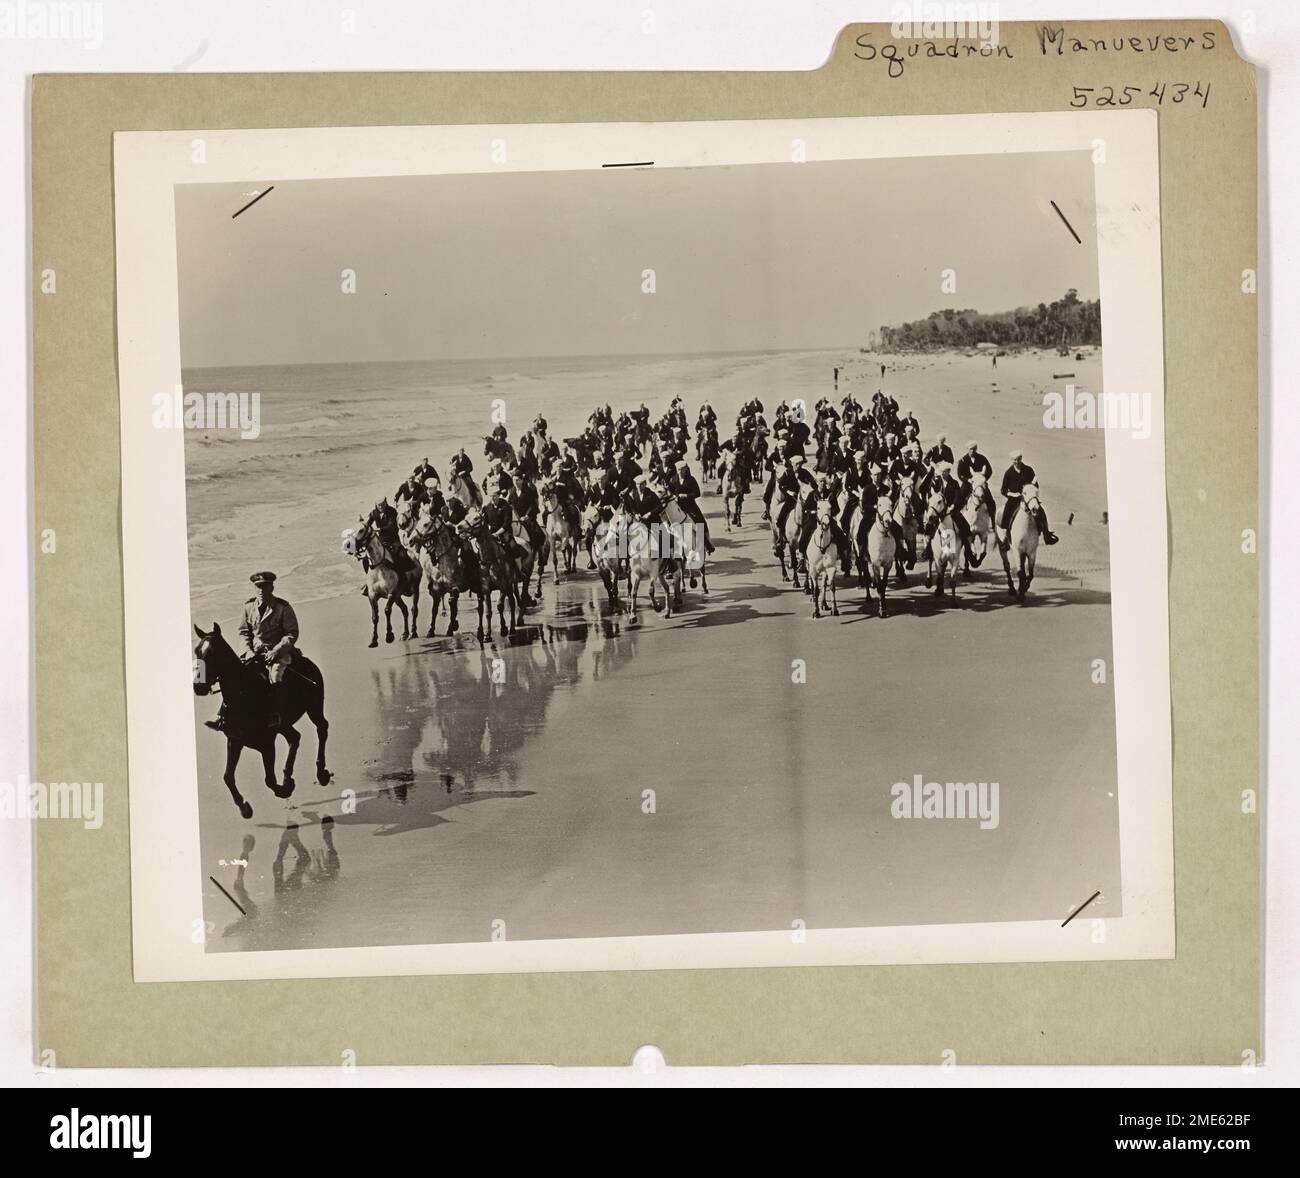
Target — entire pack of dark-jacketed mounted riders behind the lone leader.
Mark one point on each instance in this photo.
(846, 470)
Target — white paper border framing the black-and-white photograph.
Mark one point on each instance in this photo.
(167, 895)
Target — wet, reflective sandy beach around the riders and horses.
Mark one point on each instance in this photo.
(521, 796)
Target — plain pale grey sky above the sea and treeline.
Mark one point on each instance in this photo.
(755, 258)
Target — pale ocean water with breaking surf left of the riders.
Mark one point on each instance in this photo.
(336, 438)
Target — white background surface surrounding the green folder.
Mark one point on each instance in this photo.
(297, 36)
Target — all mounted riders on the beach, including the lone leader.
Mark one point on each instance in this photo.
(851, 486)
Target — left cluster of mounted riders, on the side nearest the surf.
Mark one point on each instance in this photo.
(540, 501)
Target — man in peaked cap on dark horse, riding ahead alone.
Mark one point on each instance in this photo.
(266, 692)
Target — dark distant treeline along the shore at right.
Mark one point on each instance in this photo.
(1068, 323)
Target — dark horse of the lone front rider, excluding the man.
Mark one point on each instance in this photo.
(249, 717)
